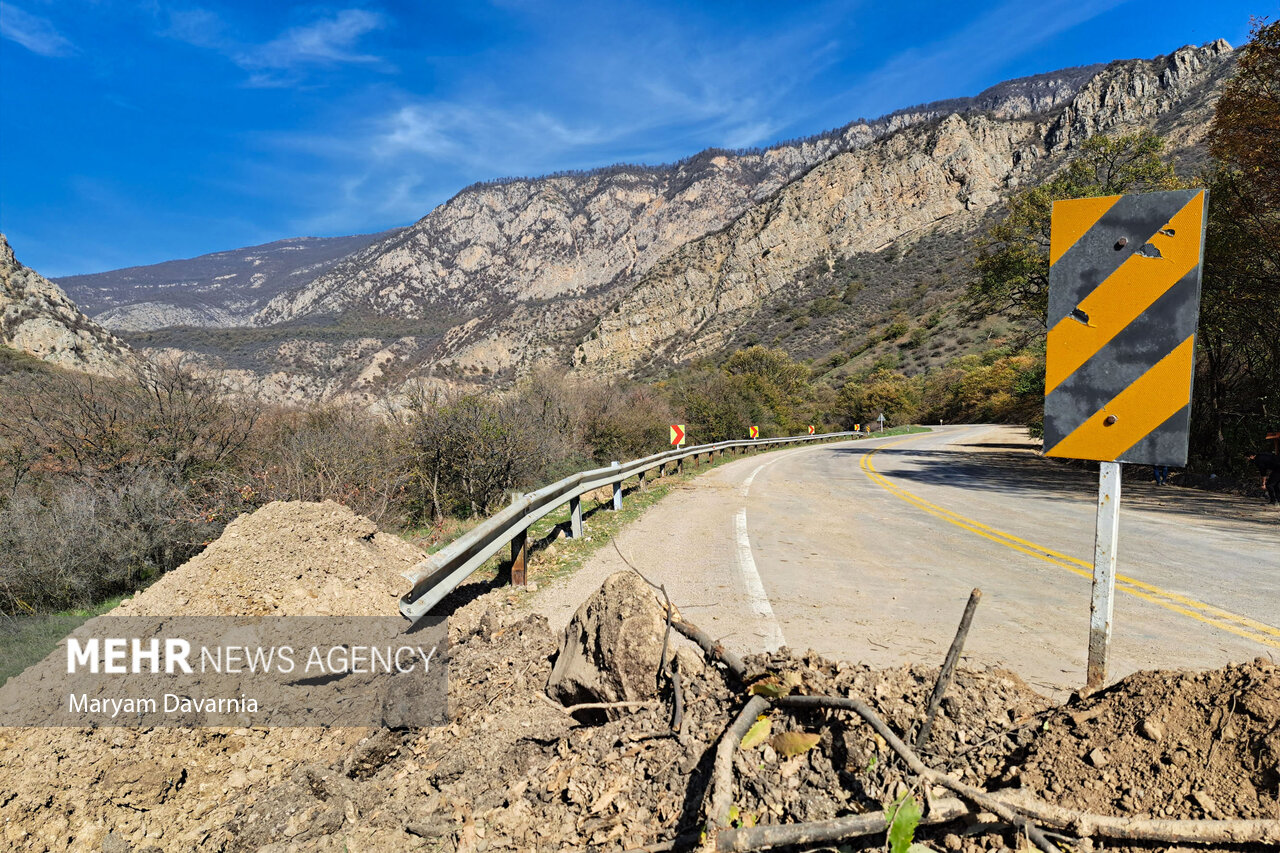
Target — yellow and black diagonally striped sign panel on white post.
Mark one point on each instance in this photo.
(1123, 305)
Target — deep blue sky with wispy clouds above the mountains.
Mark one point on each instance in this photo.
(139, 133)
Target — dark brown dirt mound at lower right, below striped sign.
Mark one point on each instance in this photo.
(1167, 746)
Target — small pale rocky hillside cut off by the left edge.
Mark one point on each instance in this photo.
(38, 318)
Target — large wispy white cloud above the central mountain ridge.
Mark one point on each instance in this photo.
(577, 103)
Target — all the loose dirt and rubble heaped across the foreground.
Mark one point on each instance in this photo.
(516, 772)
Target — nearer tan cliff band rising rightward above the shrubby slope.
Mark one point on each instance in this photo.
(939, 177)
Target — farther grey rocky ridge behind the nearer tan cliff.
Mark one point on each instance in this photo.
(572, 236)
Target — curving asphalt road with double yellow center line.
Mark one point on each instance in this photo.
(867, 551)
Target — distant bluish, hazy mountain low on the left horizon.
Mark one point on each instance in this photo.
(218, 290)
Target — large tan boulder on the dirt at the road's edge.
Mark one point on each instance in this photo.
(612, 647)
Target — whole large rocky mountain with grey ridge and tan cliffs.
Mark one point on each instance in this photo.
(629, 270)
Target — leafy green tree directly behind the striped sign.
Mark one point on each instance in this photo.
(1013, 258)
